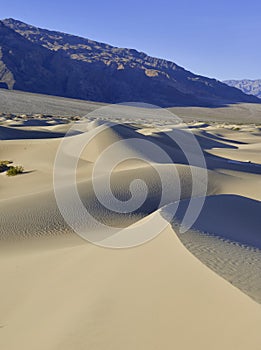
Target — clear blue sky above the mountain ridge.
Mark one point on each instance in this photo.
(219, 39)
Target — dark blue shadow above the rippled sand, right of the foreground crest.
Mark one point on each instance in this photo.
(231, 217)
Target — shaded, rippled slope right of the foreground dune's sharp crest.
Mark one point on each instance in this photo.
(226, 237)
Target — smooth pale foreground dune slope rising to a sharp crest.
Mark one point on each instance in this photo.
(154, 296)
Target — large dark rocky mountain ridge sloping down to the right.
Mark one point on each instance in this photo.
(43, 61)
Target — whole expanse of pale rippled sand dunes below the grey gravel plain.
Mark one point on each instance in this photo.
(169, 288)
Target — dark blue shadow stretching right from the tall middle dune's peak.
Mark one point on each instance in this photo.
(166, 141)
